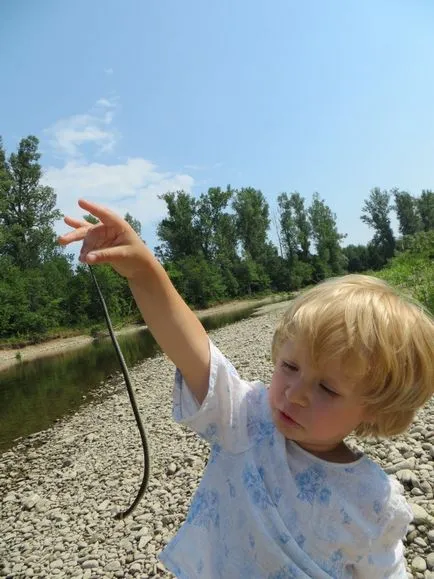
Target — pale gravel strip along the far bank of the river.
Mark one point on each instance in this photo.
(11, 356)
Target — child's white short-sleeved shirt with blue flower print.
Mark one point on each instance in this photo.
(266, 508)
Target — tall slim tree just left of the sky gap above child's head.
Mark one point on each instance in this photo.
(329, 258)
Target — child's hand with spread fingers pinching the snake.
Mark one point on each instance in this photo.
(111, 241)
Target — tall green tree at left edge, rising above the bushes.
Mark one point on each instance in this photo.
(27, 208)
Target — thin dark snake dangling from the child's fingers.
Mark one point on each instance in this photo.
(146, 456)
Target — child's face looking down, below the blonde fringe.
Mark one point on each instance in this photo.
(317, 407)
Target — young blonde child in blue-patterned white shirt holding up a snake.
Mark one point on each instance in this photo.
(283, 496)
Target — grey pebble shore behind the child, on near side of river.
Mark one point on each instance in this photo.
(60, 488)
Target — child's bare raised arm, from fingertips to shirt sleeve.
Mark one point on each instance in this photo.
(172, 323)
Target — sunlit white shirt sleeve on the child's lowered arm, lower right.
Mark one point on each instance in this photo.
(386, 556)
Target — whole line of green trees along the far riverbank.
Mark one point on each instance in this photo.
(215, 247)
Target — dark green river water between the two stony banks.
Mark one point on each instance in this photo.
(33, 395)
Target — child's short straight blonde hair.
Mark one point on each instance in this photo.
(382, 340)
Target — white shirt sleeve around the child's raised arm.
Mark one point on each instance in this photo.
(222, 417)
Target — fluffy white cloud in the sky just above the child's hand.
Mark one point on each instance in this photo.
(133, 185)
